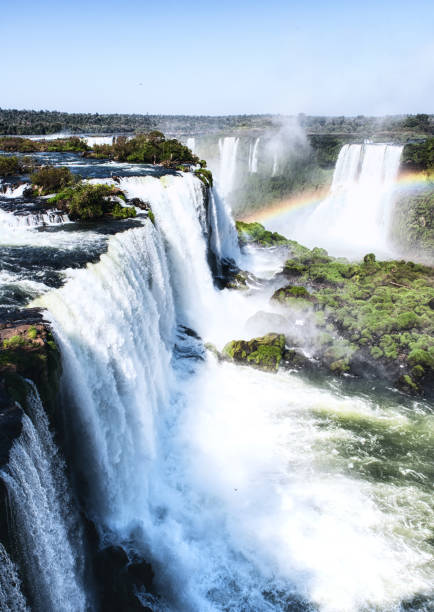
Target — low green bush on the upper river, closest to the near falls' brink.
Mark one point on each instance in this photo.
(90, 201)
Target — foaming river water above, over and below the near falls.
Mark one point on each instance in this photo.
(246, 491)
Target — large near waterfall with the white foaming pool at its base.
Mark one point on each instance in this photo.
(222, 476)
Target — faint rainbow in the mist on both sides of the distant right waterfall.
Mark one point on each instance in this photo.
(305, 199)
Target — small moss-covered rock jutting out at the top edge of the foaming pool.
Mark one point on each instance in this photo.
(264, 353)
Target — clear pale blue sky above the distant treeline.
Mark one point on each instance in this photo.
(218, 57)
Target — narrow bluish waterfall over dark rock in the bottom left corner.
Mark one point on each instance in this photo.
(43, 520)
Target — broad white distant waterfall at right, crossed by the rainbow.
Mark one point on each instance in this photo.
(355, 217)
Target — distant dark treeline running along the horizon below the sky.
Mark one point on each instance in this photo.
(23, 122)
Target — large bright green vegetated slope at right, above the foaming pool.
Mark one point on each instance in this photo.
(380, 311)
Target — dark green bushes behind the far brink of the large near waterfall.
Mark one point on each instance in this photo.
(147, 148)
